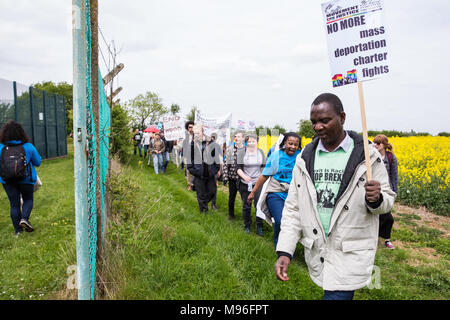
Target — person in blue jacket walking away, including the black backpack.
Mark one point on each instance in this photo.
(18, 157)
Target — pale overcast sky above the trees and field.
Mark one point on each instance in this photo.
(260, 60)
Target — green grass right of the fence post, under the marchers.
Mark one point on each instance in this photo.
(166, 249)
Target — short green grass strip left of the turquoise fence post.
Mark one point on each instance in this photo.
(33, 265)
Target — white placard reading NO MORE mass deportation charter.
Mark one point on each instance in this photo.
(356, 37)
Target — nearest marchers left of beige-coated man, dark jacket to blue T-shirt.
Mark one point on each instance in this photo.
(244, 168)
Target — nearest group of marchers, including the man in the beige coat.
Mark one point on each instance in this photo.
(320, 196)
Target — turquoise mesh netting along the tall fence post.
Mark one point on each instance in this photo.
(94, 156)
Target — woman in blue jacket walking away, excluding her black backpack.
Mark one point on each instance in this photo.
(13, 134)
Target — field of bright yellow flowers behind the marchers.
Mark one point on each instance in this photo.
(423, 166)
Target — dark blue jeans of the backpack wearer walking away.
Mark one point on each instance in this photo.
(13, 191)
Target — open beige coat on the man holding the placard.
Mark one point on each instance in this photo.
(344, 260)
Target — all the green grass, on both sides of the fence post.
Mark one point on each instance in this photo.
(160, 247)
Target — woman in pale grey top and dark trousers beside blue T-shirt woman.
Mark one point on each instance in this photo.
(251, 161)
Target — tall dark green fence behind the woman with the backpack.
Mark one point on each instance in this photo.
(42, 114)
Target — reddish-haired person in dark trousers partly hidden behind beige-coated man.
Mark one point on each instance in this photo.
(390, 162)
